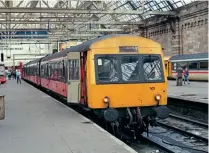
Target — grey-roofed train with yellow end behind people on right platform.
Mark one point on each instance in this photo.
(196, 63)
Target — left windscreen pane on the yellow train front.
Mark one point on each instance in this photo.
(107, 69)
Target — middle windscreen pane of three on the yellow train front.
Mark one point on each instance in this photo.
(130, 68)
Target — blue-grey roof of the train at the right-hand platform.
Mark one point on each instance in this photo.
(189, 57)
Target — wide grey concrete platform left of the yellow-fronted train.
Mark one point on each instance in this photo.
(37, 123)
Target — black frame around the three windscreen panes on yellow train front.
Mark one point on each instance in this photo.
(141, 71)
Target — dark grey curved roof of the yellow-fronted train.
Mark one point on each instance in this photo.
(85, 46)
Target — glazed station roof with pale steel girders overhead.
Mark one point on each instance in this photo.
(57, 20)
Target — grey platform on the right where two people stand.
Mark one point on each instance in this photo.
(195, 91)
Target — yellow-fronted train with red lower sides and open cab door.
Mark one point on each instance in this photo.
(120, 78)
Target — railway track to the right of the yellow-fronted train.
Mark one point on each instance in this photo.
(178, 134)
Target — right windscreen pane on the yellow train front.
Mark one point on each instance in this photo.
(152, 68)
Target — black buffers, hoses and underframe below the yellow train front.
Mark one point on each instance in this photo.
(131, 122)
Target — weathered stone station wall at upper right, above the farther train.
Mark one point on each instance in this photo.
(186, 33)
